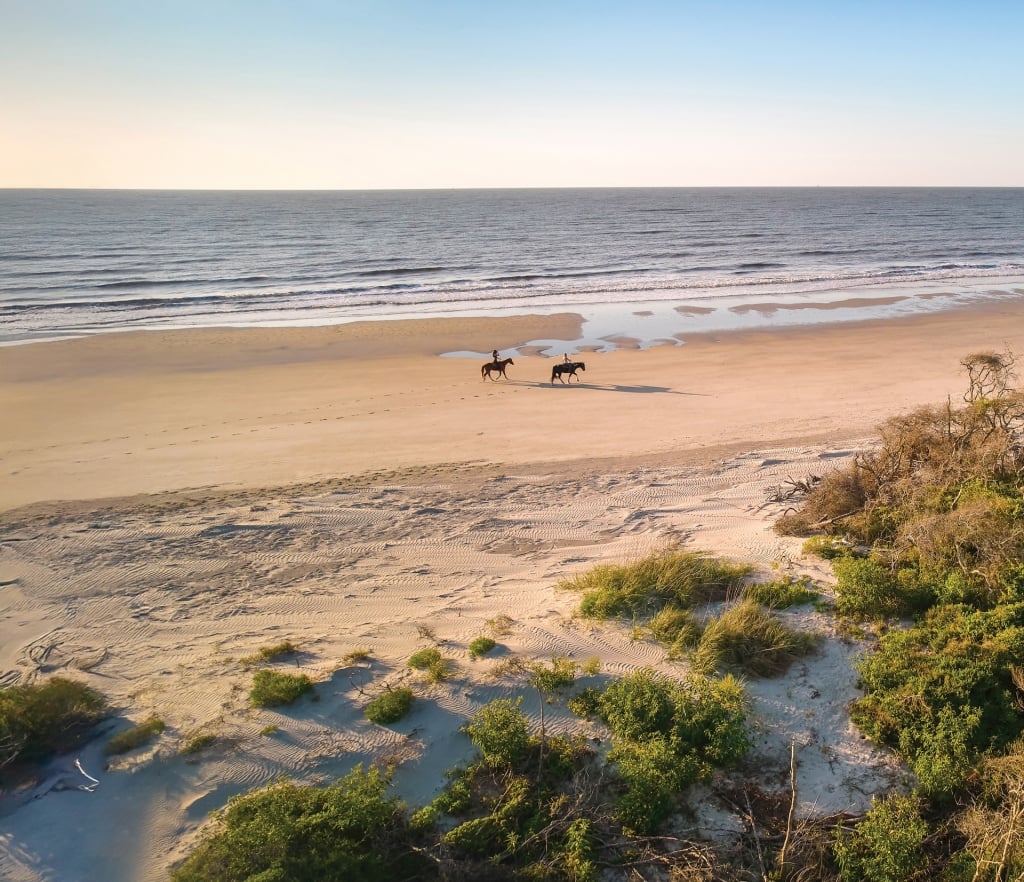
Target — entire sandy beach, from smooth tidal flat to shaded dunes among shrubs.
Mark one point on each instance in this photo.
(173, 502)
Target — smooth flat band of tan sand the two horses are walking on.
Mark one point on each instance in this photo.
(147, 412)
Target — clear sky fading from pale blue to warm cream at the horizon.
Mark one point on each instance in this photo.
(364, 95)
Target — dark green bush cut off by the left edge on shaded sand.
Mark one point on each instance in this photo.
(39, 721)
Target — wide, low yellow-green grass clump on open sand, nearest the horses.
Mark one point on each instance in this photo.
(643, 589)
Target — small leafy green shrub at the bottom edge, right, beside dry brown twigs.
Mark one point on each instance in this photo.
(886, 847)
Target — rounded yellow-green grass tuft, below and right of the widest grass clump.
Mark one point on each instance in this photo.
(748, 639)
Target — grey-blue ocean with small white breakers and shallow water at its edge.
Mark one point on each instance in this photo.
(651, 265)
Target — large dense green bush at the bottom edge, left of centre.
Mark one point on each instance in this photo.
(350, 830)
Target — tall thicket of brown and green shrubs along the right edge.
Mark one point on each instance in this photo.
(936, 513)
